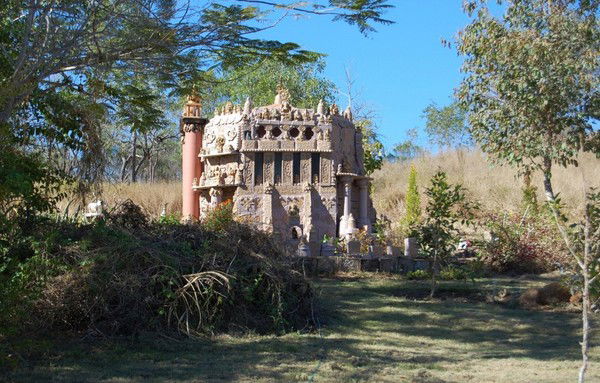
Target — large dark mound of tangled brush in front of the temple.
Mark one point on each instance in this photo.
(127, 274)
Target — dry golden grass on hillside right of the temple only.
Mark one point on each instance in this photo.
(496, 188)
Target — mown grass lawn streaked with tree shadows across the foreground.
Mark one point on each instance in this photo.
(372, 330)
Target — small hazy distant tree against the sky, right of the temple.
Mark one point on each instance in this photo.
(446, 126)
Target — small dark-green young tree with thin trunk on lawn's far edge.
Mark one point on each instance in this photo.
(447, 205)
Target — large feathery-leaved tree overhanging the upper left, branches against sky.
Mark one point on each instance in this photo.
(59, 61)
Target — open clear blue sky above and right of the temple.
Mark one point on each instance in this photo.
(399, 69)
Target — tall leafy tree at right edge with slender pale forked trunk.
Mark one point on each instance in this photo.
(532, 91)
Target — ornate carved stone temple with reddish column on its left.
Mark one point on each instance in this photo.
(298, 173)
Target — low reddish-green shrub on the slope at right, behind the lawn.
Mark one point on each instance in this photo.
(522, 244)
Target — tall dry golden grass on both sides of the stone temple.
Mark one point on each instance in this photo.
(497, 188)
